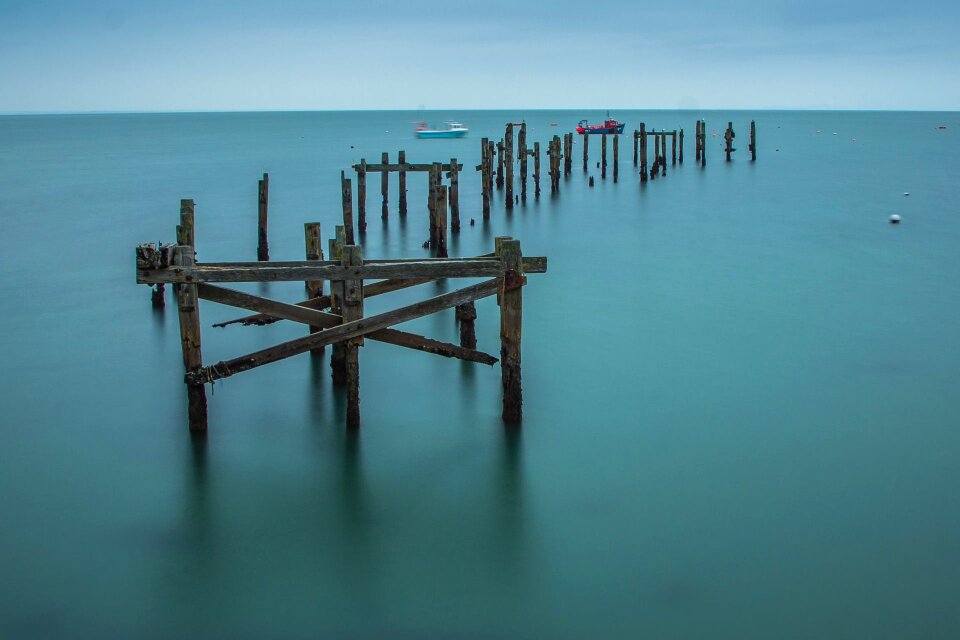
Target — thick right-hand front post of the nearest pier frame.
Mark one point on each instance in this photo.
(511, 327)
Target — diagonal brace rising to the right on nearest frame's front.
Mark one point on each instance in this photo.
(346, 331)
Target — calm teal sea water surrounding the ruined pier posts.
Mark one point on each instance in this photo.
(740, 393)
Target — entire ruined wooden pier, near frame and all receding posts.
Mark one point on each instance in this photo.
(337, 317)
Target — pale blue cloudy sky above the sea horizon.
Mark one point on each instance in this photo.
(211, 55)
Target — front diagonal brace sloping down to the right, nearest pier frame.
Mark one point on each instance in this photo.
(320, 319)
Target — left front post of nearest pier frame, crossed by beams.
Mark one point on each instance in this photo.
(188, 308)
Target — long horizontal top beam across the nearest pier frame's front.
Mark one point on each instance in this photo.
(319, 270)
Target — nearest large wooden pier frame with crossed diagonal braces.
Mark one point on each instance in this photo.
(337, 318)
